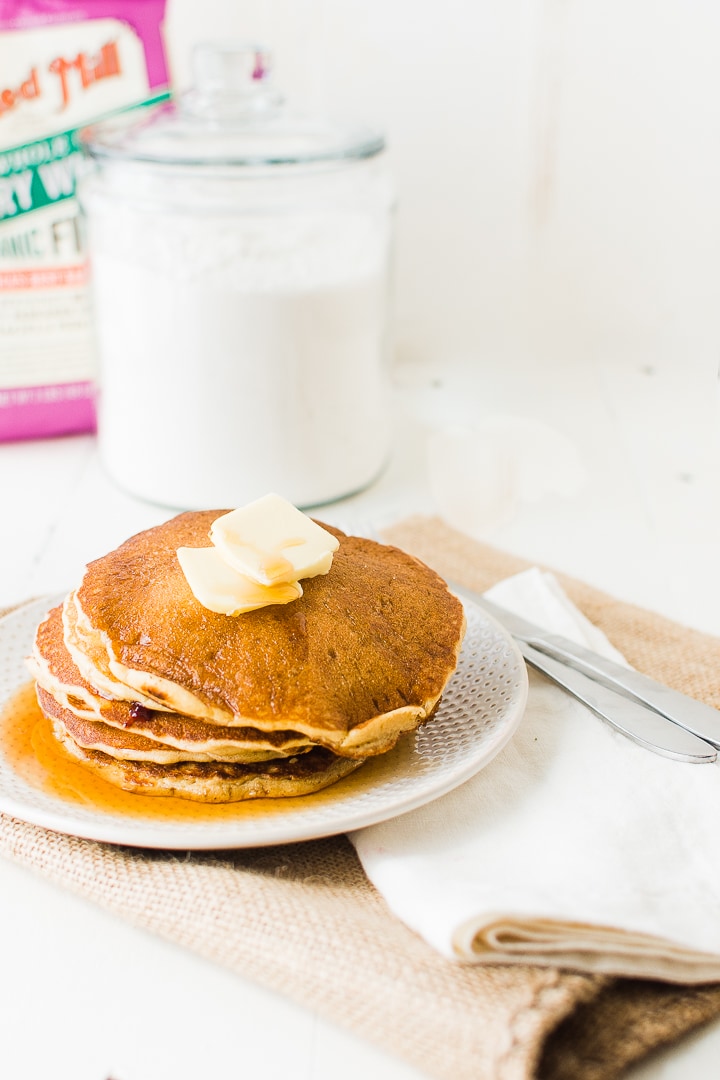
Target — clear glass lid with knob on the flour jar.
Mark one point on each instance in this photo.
(234, 116)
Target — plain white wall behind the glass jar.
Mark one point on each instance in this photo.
(558, 161)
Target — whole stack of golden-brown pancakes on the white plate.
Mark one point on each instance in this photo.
(161, 696)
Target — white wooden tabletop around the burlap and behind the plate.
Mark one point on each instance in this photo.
(85, 996)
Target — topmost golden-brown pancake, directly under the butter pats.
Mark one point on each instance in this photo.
(360, 659)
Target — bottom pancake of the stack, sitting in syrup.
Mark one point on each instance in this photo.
(218, 781)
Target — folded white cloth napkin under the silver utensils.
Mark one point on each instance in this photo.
(574, 848)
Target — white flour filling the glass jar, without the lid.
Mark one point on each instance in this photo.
(241, 356)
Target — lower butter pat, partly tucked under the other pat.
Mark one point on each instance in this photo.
(222, 589)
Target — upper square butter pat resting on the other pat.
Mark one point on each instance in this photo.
(273, 542)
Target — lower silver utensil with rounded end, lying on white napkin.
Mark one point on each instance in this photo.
(643, 725)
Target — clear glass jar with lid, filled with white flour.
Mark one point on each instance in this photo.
(240, 264)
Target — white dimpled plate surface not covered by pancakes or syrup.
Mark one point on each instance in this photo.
(481, 710)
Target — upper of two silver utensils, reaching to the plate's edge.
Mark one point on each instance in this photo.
(694, 715)
